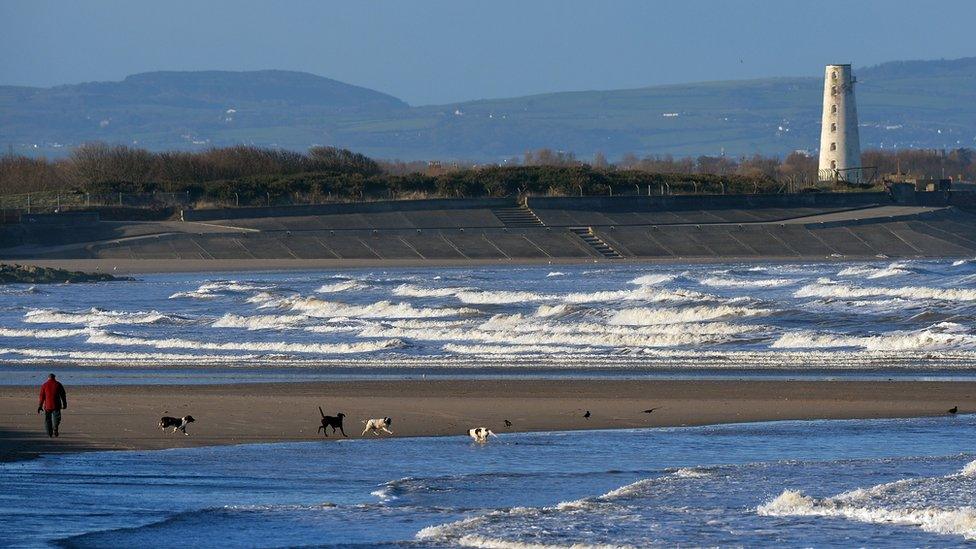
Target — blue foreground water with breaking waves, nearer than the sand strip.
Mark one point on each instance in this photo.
(858, 483)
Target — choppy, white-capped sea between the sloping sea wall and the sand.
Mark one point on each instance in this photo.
(573, 320)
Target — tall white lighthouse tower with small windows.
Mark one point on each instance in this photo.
(840, 144)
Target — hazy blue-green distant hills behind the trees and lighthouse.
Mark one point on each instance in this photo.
(903, 104)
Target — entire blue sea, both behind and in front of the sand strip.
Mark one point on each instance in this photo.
(873, 483)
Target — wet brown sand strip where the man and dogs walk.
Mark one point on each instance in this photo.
(124, 417)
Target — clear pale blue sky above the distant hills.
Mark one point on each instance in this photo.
(432, 52)
